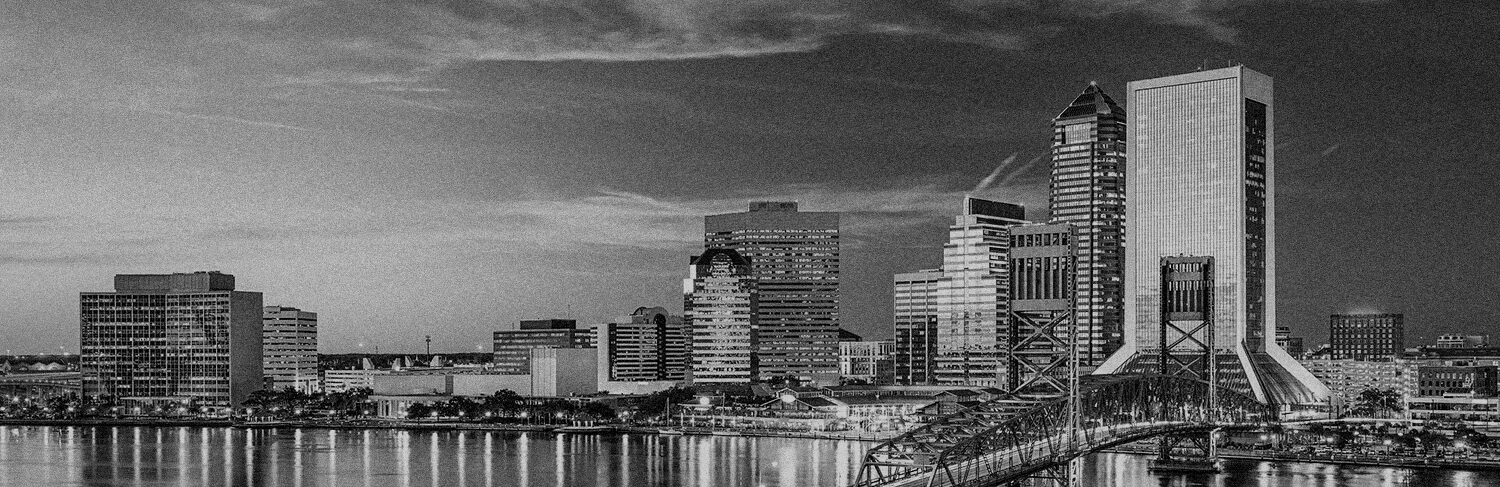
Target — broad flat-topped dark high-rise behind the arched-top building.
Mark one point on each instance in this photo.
(794, 257)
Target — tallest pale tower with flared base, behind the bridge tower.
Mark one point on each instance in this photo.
(1201, 185)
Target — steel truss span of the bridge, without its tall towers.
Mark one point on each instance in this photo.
(1004, 441)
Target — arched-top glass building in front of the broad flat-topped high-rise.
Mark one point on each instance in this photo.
(721, 302)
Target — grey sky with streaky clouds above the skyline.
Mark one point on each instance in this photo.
(451, 167)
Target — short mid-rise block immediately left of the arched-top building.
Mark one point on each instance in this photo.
(650, 345)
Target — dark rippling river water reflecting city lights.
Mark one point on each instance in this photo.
(194, 456)
